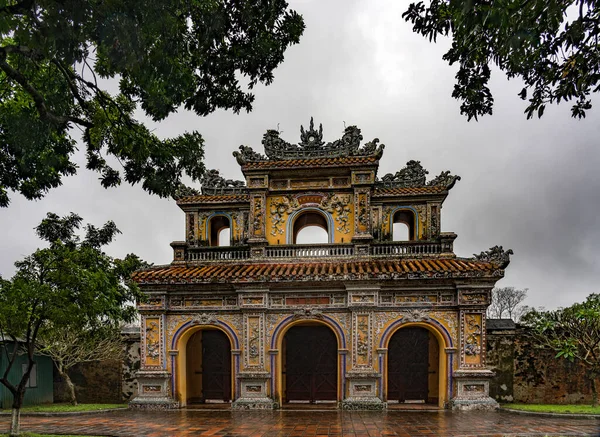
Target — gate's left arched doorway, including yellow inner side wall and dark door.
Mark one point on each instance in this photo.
(208, 365)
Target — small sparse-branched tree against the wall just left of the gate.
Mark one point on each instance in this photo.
(69, 346)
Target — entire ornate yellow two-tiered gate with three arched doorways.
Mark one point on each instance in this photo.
(245, 313)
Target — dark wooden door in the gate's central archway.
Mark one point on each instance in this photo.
(310, 364)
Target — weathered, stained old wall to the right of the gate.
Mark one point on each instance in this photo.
(527, 374)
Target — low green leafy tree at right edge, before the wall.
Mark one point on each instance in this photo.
(573, 333)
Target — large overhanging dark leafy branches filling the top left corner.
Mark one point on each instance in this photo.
(165, 54)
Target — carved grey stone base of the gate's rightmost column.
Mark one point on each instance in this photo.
(473, 391)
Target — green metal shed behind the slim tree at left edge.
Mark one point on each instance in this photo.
(40, 387)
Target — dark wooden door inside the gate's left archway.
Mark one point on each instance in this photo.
(216, 366)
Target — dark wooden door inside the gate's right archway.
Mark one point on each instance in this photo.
(408, 365)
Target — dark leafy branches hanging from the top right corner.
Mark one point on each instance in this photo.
(555, 53)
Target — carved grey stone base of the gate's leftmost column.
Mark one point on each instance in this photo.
(153, 391)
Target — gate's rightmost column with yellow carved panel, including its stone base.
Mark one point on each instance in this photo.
(472, 377)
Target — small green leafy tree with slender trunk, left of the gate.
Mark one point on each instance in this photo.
(69, 285)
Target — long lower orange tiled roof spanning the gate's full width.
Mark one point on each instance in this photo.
(430, 268)
